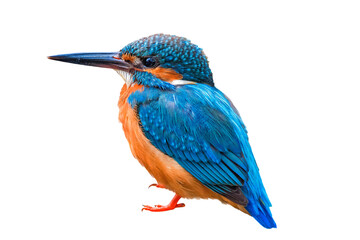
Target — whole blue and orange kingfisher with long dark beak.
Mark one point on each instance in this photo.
(186, 133)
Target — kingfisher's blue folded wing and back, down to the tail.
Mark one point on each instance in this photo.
(199, 127)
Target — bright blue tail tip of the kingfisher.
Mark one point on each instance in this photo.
(261, 213)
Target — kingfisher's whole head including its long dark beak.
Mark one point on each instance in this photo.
(155, 61)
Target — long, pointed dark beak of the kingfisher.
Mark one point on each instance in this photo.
(105, 60)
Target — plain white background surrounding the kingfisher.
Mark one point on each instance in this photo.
(290, 67)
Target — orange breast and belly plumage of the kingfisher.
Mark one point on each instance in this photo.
(163, 168)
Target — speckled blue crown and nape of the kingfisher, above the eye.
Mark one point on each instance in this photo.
(172, 52)
